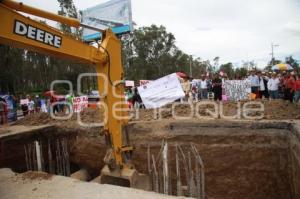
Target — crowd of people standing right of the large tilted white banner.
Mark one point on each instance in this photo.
(268, 85)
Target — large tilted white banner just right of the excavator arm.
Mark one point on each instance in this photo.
(161, 92)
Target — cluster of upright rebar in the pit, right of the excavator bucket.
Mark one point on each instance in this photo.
(189, 168)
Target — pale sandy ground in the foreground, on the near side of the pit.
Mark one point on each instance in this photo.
(41, 185)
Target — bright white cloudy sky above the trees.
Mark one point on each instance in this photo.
(234, 30)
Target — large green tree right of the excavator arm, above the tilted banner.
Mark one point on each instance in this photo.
(150, 52)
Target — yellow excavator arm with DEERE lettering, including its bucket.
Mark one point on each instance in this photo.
(20, 31)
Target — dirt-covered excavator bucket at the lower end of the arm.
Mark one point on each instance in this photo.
(125, 177)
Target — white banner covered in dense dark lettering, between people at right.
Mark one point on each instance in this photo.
(237, 89)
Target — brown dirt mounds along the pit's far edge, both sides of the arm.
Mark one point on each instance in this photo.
(272, 110)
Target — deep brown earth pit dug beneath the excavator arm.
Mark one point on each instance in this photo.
(241, 159)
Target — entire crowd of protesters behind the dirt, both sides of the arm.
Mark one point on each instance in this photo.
(264, 85)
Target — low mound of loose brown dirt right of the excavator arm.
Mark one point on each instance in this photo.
(271, 110)
